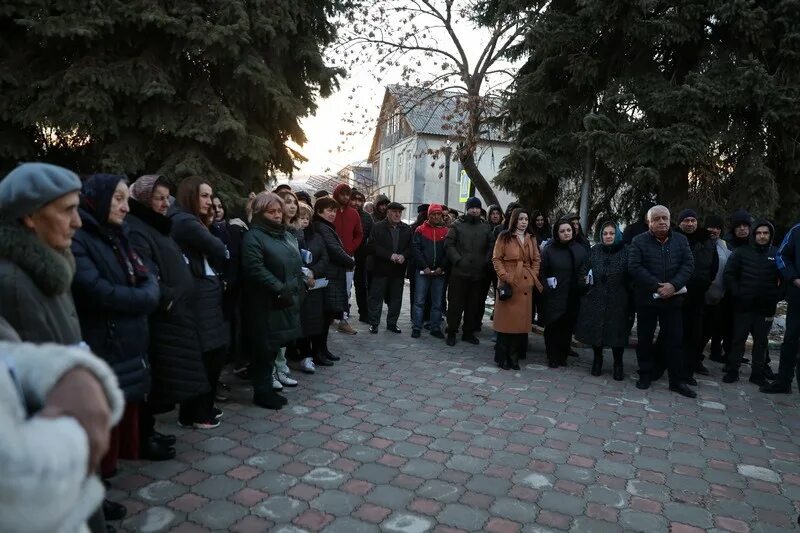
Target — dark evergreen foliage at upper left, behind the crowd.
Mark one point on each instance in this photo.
(178, 87)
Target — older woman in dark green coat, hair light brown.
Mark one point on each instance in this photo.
(273, 288)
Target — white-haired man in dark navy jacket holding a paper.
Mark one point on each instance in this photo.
(661, 264)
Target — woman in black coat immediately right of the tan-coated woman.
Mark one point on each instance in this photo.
(561, 262)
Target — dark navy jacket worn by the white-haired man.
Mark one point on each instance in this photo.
(650, 262)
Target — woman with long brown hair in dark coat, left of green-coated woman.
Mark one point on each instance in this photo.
(206, 255)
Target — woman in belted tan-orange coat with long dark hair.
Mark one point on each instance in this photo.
(516, 261)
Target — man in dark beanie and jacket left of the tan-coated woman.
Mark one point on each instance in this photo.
(469, 247)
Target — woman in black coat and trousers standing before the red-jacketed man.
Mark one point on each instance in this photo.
(338, 265)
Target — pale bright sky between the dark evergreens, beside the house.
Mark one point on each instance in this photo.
(325, 149)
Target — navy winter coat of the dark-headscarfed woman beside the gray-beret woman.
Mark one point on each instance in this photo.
(114, 312)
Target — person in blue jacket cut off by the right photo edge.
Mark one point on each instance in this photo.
(788, 261)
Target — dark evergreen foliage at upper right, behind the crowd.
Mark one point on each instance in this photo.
(690, 103)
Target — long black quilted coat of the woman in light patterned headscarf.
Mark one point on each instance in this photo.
(175, 355)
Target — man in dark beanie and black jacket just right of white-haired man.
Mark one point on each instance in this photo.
(706, 264)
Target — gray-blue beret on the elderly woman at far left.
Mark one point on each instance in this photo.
(30, 186)
